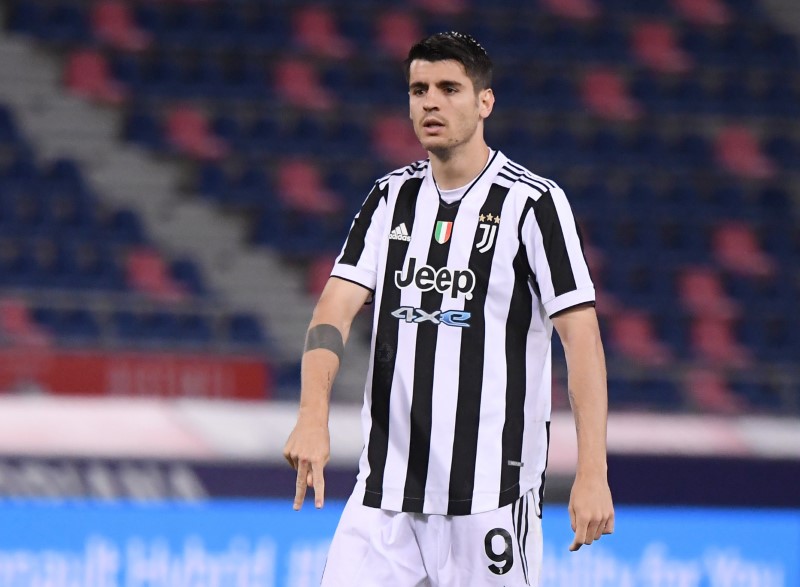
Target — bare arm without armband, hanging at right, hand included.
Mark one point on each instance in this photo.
(590, 507)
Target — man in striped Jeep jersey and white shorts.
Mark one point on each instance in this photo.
(470, 260)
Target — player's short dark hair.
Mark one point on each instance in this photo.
(457, 47)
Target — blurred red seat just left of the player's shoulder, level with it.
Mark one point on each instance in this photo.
(301, 187)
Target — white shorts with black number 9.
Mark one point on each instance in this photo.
(379, 548)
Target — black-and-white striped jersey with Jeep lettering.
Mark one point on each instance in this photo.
(457, 399)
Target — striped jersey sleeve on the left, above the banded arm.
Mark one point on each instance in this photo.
(358, 260)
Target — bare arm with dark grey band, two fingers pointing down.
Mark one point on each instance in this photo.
(308, 446)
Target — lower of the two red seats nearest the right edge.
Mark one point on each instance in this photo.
(737, 249)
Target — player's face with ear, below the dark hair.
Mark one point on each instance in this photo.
(444, 107)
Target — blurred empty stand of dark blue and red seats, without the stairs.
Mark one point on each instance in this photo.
(672, 126)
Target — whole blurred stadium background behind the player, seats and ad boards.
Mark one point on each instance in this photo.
(176, 178)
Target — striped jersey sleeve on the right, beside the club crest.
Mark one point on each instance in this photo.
(555, 253)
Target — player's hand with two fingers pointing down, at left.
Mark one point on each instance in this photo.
(308, 450)
